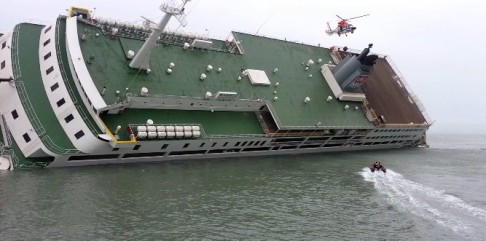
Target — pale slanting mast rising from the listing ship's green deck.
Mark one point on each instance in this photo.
(142, 58)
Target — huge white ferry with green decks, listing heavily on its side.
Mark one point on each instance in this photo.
(86, 91)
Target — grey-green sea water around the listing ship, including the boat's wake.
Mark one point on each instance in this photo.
(427, 194)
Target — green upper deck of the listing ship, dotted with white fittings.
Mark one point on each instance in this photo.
(109, 69)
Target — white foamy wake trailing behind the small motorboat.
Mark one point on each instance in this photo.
(426, 202)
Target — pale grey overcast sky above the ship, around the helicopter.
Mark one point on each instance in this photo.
(438, 45)
